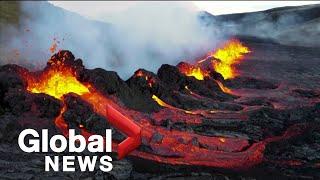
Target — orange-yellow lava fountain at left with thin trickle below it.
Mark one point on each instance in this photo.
(57, 80)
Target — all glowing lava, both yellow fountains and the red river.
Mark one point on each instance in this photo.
(173, 146)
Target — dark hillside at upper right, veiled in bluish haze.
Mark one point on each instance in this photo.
(297, 26)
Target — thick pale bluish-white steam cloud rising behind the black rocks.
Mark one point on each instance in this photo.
(145, 36)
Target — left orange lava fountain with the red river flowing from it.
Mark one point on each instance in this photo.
(168, 145)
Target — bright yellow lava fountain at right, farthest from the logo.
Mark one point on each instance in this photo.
(229, 55)
